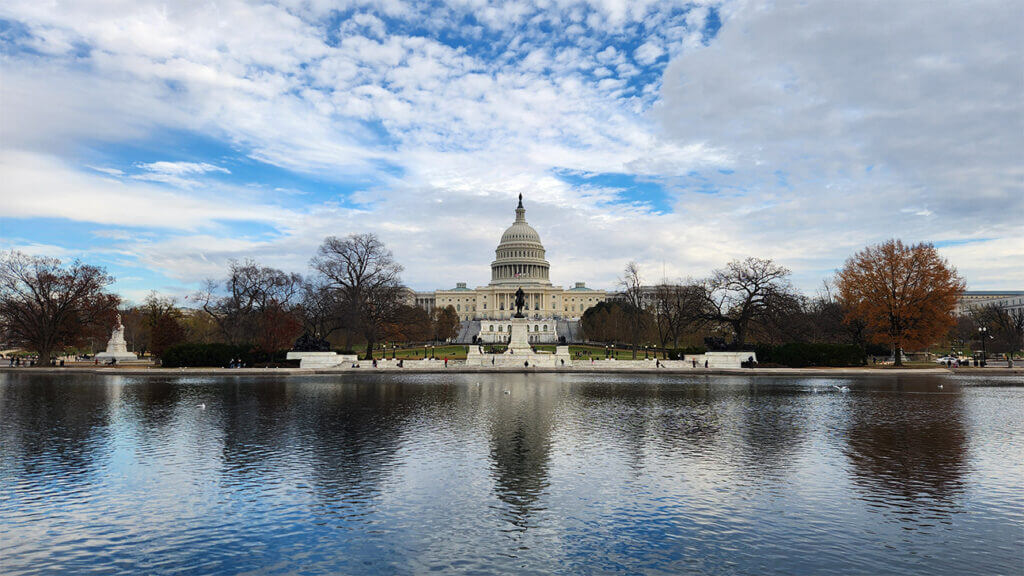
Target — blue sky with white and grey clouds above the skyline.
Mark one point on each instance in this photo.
(163, 139)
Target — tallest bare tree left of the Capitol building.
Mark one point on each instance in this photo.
(367, 281)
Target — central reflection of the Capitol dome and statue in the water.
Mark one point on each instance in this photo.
(521, 446)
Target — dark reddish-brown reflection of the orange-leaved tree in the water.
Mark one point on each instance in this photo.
(910, 446)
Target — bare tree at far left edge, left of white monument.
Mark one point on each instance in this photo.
(46, 306)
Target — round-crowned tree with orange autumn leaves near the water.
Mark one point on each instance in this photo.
(905, 295)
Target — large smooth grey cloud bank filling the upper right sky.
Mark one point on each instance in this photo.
(843, 133)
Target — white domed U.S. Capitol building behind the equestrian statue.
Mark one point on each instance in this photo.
(520, 262)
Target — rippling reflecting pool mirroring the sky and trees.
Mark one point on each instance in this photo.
(505, 474)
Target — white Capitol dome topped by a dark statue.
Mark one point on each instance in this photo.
(520, 257)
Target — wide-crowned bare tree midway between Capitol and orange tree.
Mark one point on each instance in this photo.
(746, 292)
